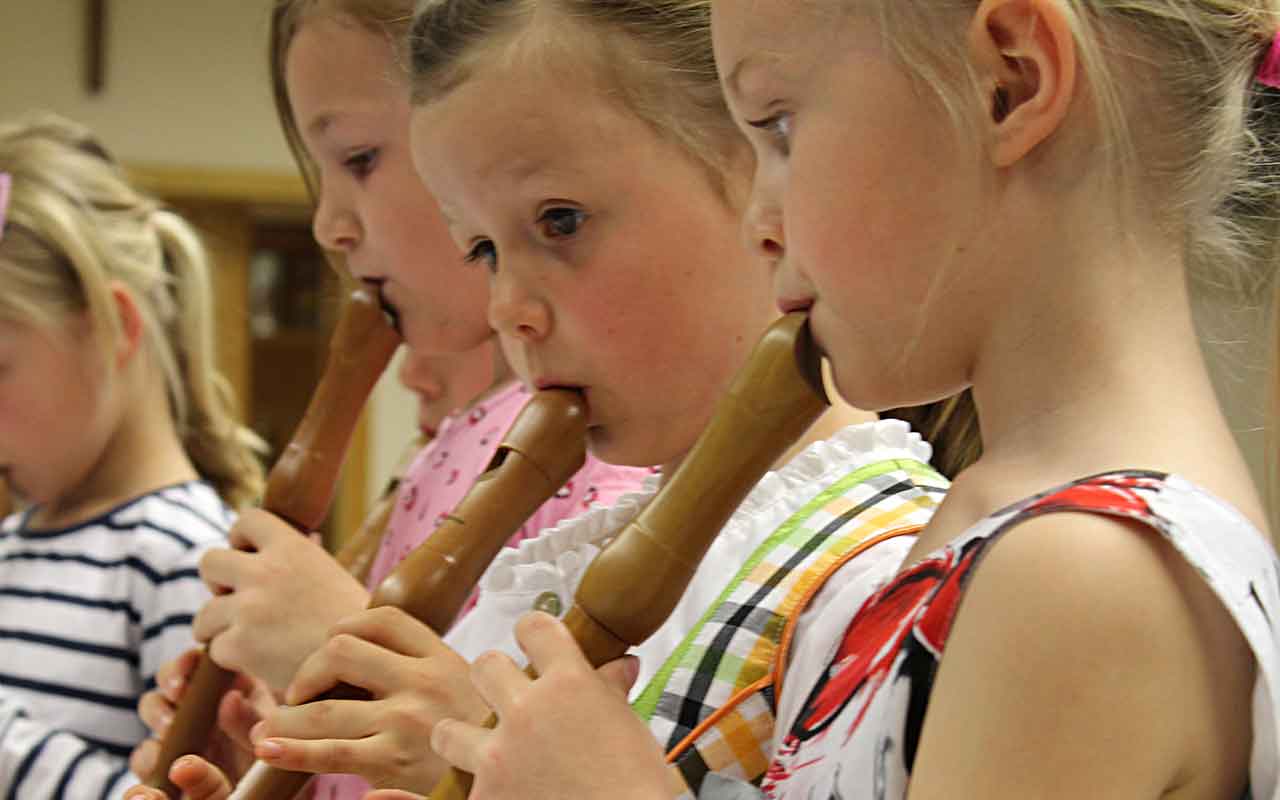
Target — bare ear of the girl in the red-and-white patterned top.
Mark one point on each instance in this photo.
(1026, 57)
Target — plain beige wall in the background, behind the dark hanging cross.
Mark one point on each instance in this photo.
(186, 86)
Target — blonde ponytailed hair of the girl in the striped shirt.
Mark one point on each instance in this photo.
(75, 227)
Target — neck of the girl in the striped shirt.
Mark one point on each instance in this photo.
(143, 454)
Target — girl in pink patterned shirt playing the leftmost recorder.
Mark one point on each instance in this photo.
(344, 106)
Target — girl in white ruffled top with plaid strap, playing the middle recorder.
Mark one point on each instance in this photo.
(560, 202)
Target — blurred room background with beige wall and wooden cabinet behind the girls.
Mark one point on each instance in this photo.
(179, 90)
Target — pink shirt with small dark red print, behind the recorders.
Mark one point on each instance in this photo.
(441, 477)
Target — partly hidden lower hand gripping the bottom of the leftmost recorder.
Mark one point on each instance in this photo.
(240, 711)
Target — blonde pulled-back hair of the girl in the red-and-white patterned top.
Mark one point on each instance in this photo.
(1187, 131)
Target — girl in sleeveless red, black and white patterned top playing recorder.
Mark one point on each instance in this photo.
(1017, 186)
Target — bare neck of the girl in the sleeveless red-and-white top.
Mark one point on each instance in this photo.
(1094, 364)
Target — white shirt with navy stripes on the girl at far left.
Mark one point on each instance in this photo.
(88, 615)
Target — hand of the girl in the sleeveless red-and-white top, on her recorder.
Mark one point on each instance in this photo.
(569, 734)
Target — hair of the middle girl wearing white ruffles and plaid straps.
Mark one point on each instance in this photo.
(656, 57)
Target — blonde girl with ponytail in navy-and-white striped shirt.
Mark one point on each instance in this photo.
(117, 432)
